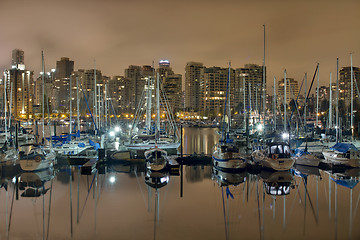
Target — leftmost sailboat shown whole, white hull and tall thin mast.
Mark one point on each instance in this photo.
(33, 156)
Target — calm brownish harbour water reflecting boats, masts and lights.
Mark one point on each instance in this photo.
(124, 202)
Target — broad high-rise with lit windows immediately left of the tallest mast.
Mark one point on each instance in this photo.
(249, 82)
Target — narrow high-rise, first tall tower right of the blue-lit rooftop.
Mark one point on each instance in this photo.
(193, 74)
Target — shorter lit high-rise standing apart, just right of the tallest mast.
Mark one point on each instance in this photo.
(292, 90)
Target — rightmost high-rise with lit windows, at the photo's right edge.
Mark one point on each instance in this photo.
(345, 84)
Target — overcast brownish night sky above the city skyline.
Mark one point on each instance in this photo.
(119, 33)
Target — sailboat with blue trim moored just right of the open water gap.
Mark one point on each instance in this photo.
(226, 155)
